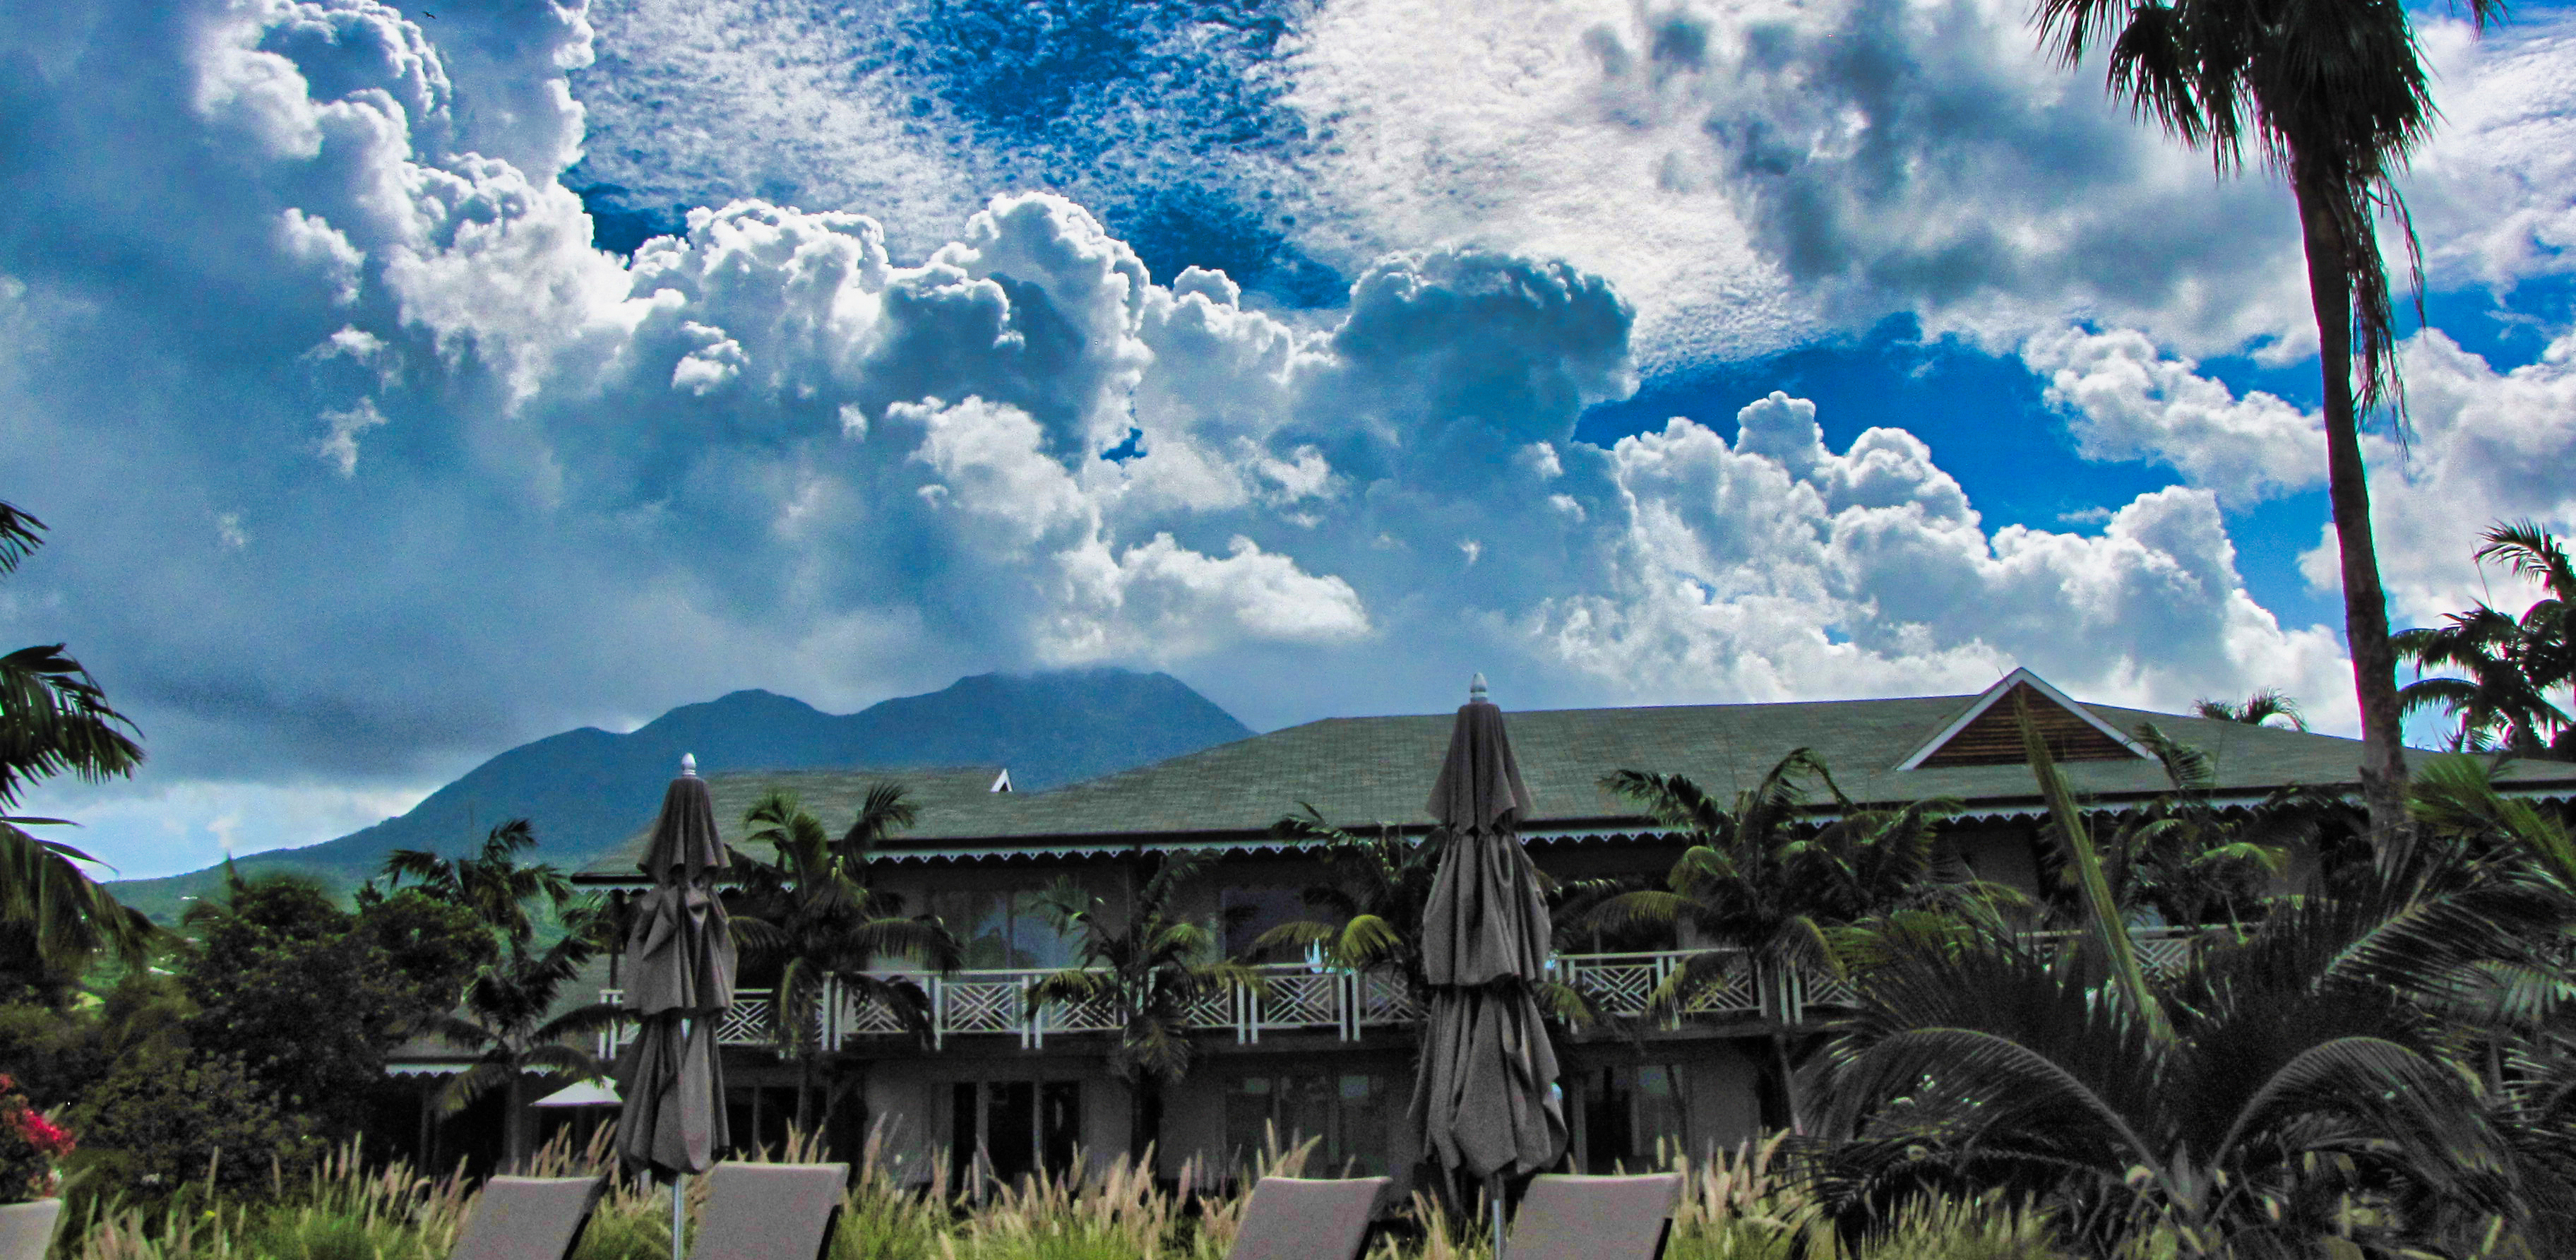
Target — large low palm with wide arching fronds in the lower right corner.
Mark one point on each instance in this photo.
(2286, 1089)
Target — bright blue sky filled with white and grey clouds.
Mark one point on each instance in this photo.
(401, 383)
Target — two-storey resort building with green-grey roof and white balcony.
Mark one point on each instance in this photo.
(1014, 1086)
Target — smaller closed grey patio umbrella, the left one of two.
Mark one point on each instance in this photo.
(679, 986)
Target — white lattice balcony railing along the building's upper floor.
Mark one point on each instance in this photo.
(1294, 998)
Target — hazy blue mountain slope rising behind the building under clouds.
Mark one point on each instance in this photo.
(589, 790)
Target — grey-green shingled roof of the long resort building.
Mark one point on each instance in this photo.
(1379, 769)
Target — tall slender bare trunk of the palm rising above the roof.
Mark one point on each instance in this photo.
(2348, 488)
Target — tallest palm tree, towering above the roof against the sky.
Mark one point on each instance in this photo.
(2335, 99)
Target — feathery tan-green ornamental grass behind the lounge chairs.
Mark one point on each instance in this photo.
(1735, 1207)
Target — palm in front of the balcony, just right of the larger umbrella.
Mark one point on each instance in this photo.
(1756, 880)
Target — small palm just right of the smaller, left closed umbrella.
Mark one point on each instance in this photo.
(815, 913)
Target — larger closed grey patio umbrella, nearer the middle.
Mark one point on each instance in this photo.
(1485, 1091)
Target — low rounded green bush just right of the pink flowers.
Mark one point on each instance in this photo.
(169, 1117)
